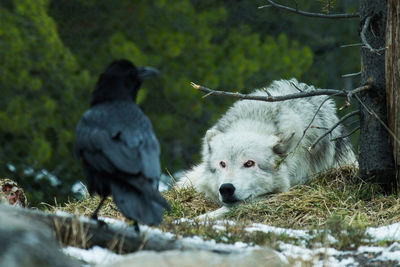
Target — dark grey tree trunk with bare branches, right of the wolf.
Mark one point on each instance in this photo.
(376, 158)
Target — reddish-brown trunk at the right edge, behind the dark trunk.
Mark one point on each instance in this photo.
(393, 77)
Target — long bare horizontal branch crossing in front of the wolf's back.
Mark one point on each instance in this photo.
(270, 98)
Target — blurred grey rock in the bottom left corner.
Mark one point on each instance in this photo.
(24, 242)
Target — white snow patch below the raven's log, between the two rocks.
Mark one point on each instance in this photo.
(94, 255)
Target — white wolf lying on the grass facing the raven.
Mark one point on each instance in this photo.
(258, 147)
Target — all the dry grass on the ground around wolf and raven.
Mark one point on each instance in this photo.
(337, 202)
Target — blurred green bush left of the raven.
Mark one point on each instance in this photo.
(41, 87)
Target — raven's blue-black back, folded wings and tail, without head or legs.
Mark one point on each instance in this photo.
(121, 156)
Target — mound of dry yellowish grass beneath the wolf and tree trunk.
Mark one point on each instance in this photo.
(338, 193)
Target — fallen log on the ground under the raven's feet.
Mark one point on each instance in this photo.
(85, 233)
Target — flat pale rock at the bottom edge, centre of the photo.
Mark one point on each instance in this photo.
(177, 258)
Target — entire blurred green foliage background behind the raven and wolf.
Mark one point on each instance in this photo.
(51, 53)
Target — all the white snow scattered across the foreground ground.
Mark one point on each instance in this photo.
(322, 256)
